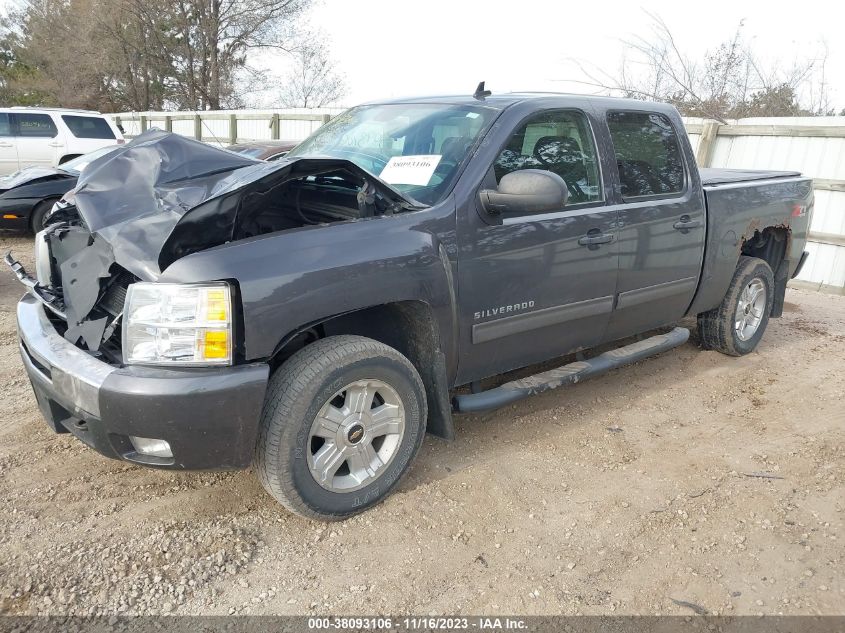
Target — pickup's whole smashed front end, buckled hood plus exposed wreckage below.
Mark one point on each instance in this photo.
(161, 197)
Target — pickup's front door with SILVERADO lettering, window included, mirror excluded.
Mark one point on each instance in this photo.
(535, 287)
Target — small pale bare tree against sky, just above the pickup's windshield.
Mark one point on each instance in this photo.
(313, 82)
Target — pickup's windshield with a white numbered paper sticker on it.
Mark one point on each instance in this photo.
(416, 148)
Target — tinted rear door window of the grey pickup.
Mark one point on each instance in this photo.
(648, 154)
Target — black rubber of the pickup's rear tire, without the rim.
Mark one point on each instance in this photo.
(716, 328)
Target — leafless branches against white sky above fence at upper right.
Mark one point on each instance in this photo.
(726, 82)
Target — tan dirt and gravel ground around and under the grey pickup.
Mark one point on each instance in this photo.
(639, 492)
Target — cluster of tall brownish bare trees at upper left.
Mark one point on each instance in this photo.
(140, 54)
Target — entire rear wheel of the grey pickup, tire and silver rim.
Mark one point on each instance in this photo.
(737, 325)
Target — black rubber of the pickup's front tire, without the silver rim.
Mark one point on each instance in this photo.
(297, 392)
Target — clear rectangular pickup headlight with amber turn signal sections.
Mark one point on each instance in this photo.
(177, 324)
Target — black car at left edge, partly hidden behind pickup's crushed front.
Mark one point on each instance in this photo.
(27, 196)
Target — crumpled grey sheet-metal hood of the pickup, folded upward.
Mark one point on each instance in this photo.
(154, 200)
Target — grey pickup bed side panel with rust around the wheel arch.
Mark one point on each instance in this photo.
(734, 212)
